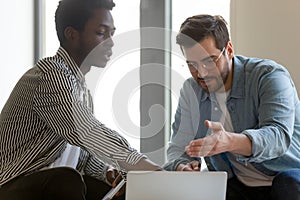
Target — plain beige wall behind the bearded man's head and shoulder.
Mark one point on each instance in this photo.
(268, 29)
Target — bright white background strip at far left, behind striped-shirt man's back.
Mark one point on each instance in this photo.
(16, 39)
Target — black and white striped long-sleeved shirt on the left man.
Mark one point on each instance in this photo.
(48, 109)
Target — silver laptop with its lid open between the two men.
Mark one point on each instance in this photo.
(172, 185)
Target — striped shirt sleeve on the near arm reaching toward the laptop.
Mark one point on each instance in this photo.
(59, 103)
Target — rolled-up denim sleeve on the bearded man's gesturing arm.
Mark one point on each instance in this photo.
(276, 114)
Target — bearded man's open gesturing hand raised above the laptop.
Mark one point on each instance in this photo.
(217, 142)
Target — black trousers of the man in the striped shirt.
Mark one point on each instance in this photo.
(54, 184)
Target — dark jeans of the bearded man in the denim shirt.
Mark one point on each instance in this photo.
(285, 186)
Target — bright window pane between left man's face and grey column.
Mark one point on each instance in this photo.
(116, 97)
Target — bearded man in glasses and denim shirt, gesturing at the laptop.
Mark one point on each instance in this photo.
(241, 114)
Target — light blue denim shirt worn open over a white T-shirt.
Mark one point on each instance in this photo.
(263, 104)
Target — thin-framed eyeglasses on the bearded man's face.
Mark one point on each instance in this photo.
(208, 63)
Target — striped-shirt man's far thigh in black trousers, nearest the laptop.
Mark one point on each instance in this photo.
(97, 189)
